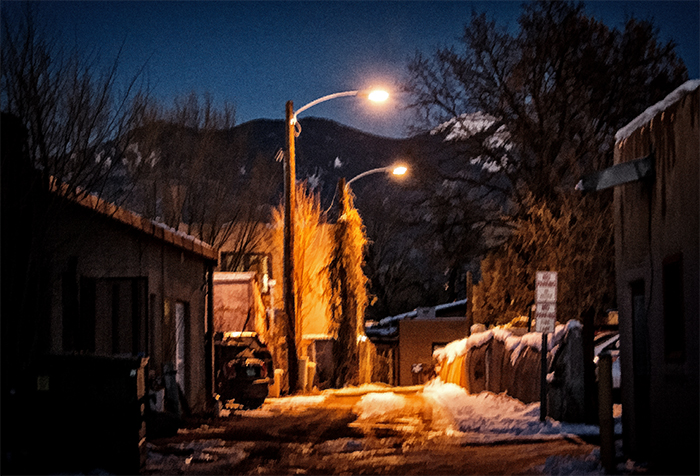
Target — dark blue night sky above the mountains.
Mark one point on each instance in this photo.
(258, 55)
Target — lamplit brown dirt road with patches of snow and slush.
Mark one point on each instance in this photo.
(327, 438)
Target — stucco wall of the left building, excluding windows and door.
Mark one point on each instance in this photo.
(108, 249)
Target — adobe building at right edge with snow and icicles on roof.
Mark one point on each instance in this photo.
(657, 263)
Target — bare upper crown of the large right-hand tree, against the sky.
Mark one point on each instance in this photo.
(539, 108)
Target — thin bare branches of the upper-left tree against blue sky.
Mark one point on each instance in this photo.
(78, 123)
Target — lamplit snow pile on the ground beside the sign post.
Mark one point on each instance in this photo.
(487, 417)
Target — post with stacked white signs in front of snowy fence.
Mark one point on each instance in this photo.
(546, 318)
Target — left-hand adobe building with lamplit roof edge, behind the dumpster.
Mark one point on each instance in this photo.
(122, 284)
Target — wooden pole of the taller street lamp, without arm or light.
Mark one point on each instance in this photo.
(289, 211)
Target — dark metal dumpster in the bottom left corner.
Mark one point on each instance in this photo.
(90, 412)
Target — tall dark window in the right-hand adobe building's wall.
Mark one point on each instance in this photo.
(674, 322)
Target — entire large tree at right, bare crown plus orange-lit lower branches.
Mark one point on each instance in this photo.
(536, 110)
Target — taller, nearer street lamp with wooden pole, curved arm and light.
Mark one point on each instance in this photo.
(289, 204)
